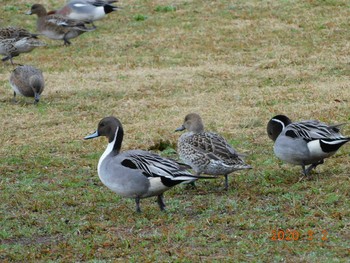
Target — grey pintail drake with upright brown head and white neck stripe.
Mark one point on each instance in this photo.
(135, 173)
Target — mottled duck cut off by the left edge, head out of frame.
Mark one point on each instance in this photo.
(14, 41)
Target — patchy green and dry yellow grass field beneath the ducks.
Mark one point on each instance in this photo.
(237, 63)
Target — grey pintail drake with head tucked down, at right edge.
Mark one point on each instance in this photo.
(304, 143)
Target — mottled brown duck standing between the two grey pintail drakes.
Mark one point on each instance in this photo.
(207, 152)
